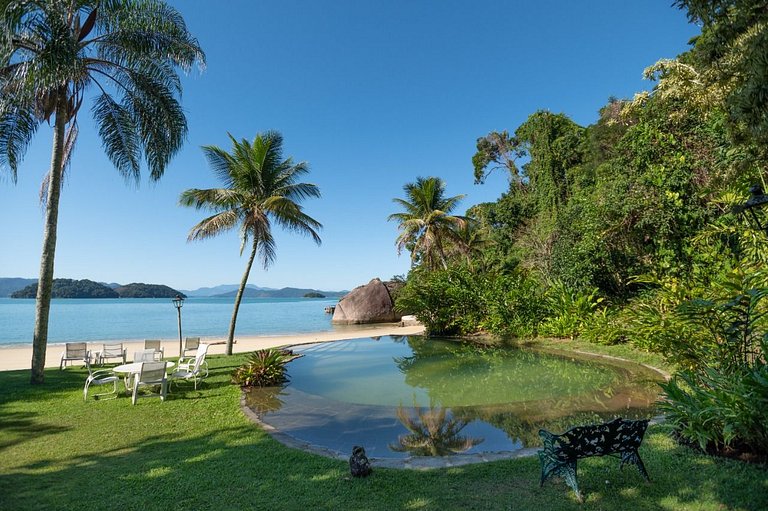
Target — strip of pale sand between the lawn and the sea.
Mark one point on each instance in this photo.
(20, 357)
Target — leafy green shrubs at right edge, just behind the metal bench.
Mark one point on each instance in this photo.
(721, 399)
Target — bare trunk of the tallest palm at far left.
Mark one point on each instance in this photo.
(45, 283)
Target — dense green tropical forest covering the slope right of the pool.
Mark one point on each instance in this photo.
(626, 231)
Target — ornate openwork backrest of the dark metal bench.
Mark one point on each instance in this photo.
(616, 436)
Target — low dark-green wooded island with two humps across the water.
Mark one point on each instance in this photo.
(68, 288)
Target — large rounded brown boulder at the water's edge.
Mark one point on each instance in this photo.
(371, 303)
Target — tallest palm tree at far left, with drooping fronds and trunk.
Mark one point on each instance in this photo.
(52, 52)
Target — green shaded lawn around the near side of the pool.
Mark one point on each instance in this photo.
(198, 451)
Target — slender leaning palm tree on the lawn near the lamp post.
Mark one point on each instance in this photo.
(259, 188)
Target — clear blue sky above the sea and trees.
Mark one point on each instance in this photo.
(371, 93)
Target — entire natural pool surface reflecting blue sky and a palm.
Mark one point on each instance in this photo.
(405, 396)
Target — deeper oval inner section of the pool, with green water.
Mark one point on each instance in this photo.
(444, 373)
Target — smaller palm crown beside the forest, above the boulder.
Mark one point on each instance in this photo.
(427, 222)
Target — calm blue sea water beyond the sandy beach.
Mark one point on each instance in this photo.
(156, 318)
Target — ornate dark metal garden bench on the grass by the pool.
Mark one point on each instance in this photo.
(617, 437)
